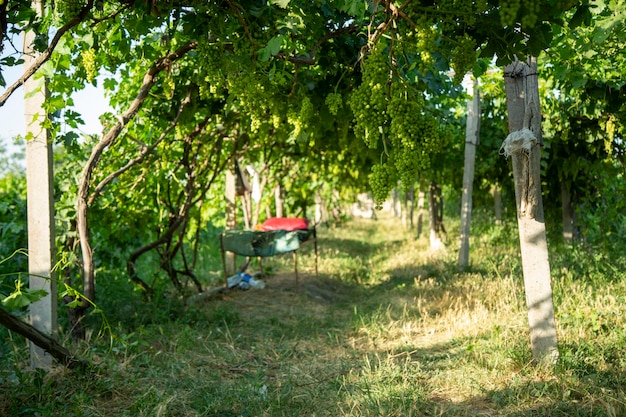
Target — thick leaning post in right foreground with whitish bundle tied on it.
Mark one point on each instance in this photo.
(523, 145)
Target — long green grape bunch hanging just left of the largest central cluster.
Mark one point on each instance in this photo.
(369, 100)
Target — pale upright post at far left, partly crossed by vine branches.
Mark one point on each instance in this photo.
(40, 199)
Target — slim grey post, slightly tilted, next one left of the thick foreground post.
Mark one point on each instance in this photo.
(472, 129)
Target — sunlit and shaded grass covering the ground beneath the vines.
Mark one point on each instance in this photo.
(388, 328)
